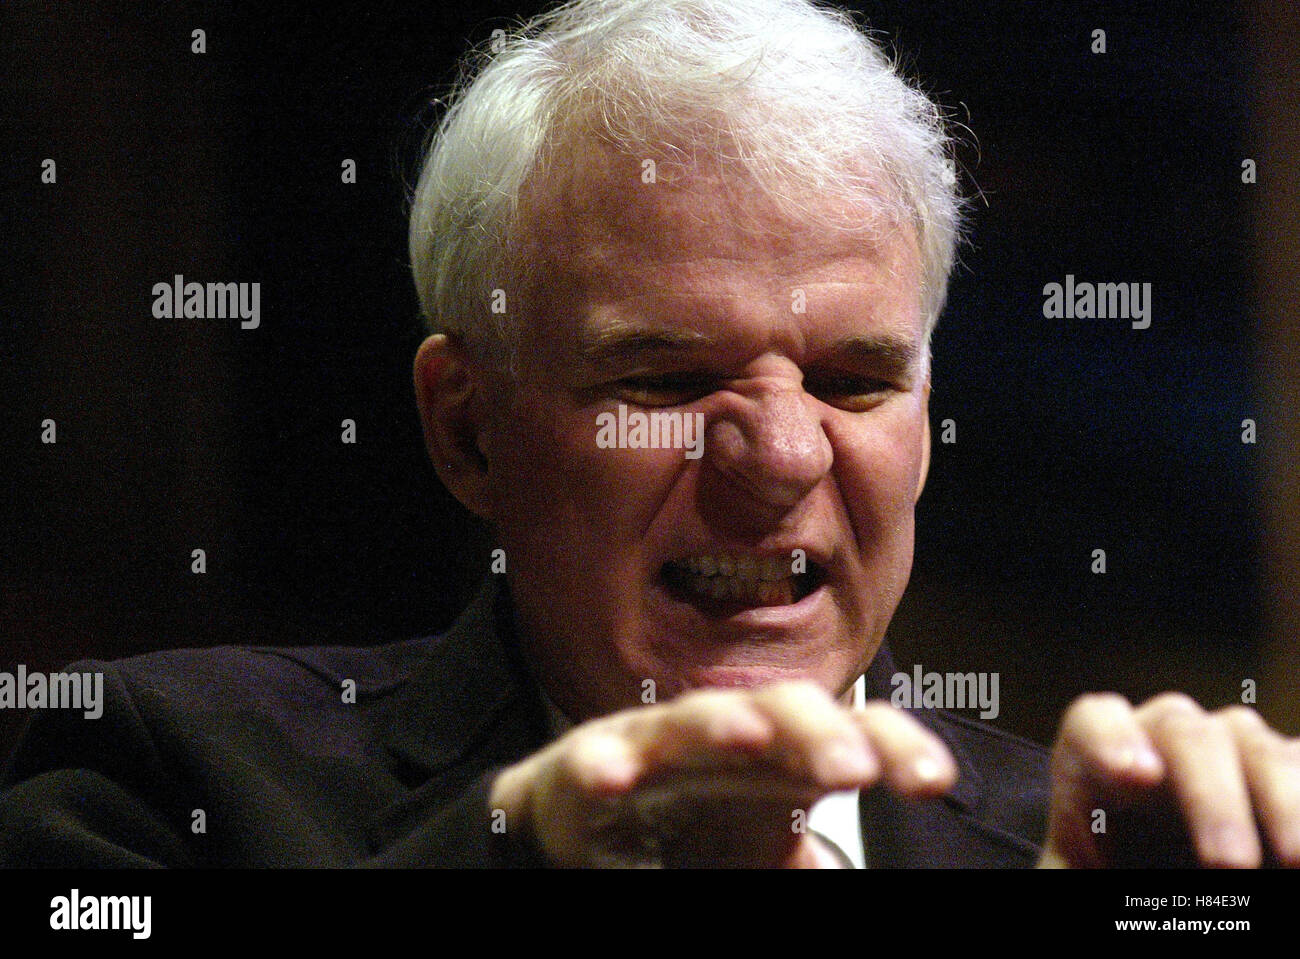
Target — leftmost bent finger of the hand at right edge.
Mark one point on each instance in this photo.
(1102, 757)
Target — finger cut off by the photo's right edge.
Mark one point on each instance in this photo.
(1273, 776)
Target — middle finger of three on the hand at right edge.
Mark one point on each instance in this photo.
(1208, 779)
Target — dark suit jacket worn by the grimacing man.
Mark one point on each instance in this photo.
(252, 758)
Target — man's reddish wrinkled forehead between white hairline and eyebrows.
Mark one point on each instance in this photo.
(599, 216)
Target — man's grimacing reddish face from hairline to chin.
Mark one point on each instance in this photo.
(803, 350)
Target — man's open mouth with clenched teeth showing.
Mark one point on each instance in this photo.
(725, 582)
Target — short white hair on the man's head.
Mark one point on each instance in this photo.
(795, 94)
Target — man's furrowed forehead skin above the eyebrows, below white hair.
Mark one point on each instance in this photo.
(599, 236)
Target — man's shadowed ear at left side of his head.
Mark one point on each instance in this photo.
(449, 390)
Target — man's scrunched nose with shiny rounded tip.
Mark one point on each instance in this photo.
(769, 446)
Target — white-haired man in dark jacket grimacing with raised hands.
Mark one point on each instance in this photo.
(736, 214)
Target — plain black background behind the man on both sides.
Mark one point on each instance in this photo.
(1072, 435)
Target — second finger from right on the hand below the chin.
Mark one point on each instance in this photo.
(816, 737)
